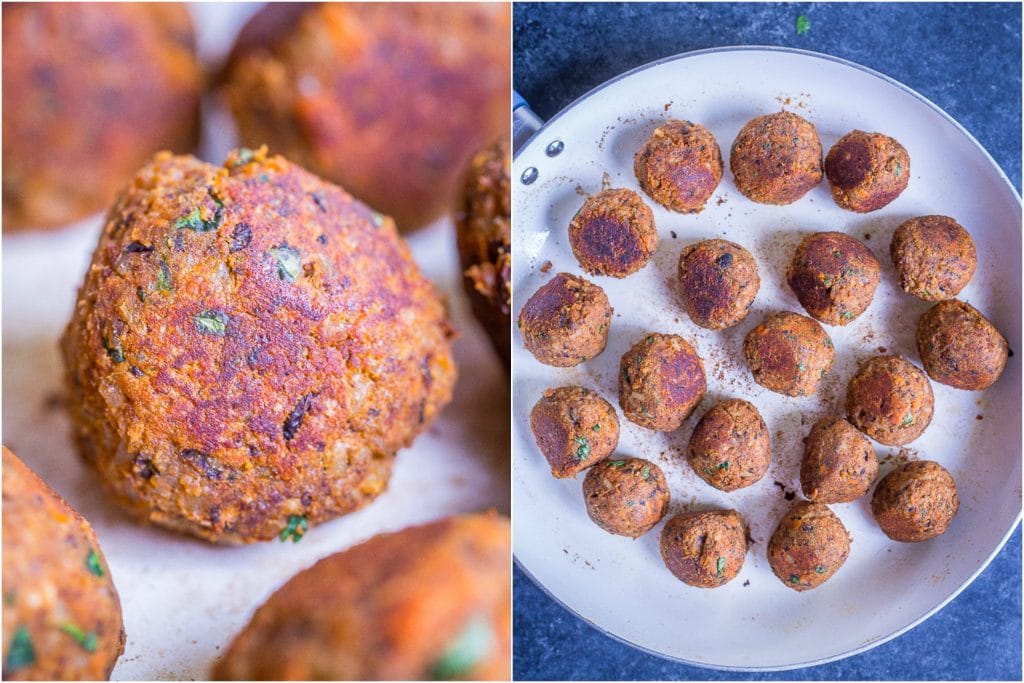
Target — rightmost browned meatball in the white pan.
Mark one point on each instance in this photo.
(960, 348)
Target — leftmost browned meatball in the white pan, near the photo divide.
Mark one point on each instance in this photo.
(566, 322)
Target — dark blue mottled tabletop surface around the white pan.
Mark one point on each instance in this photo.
(966, 59)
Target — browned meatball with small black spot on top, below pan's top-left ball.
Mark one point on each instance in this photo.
(718, 281)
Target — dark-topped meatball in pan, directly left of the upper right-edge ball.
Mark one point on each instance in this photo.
(834, 277)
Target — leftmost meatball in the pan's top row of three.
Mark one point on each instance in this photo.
(679, 166)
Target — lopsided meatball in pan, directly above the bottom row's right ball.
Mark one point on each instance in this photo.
(839, 464)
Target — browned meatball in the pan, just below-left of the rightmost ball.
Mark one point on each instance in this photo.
(890, 401)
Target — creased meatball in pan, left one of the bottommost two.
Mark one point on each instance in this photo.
(705, 549)
